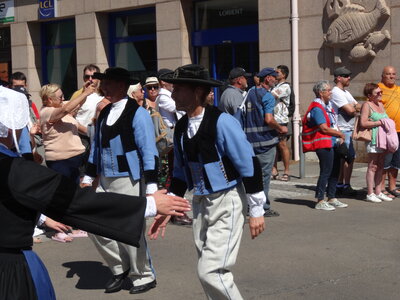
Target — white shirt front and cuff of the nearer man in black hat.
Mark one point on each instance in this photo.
(256, 200)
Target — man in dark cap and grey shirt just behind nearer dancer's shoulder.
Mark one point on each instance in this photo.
(233, 95)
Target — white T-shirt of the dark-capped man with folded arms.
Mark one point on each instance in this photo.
(340, 98)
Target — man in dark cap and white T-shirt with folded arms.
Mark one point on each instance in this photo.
(346, 107)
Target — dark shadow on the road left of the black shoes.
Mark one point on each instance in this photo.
(93, 275)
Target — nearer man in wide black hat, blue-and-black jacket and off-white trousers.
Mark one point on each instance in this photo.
(215, 160)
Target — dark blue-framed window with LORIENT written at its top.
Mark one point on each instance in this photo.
(219, 43)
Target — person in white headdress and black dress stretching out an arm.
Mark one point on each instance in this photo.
(28, 189)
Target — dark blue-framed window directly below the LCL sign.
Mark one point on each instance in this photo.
(59, 55)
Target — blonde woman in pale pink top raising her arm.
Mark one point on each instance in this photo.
(62, 145)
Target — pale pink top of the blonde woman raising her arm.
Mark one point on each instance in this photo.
(60, 139)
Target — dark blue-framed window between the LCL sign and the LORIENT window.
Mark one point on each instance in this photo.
(133, 42)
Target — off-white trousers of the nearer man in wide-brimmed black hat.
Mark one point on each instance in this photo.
(218, 221)
